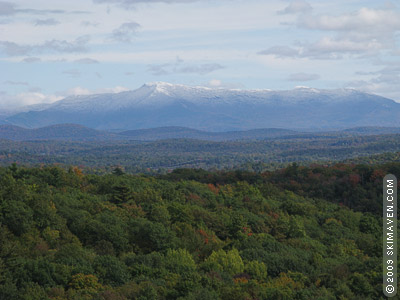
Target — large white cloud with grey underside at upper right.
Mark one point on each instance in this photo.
(363, 33)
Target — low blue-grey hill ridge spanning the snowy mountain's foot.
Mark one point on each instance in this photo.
(74, 132)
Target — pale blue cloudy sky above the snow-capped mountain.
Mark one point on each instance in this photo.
(53, 49)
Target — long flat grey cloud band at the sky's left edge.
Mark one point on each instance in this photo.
(60, 46)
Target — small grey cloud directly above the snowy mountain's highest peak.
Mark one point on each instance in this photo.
(180, 67)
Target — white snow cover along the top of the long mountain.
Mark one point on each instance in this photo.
(162, 93)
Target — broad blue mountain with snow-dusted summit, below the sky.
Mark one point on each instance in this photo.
(201, 108)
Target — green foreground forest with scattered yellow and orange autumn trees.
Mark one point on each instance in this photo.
(301, 232)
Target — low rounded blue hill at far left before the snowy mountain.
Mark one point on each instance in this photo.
(68, 132)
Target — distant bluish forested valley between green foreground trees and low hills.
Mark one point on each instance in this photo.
(161, 156)
